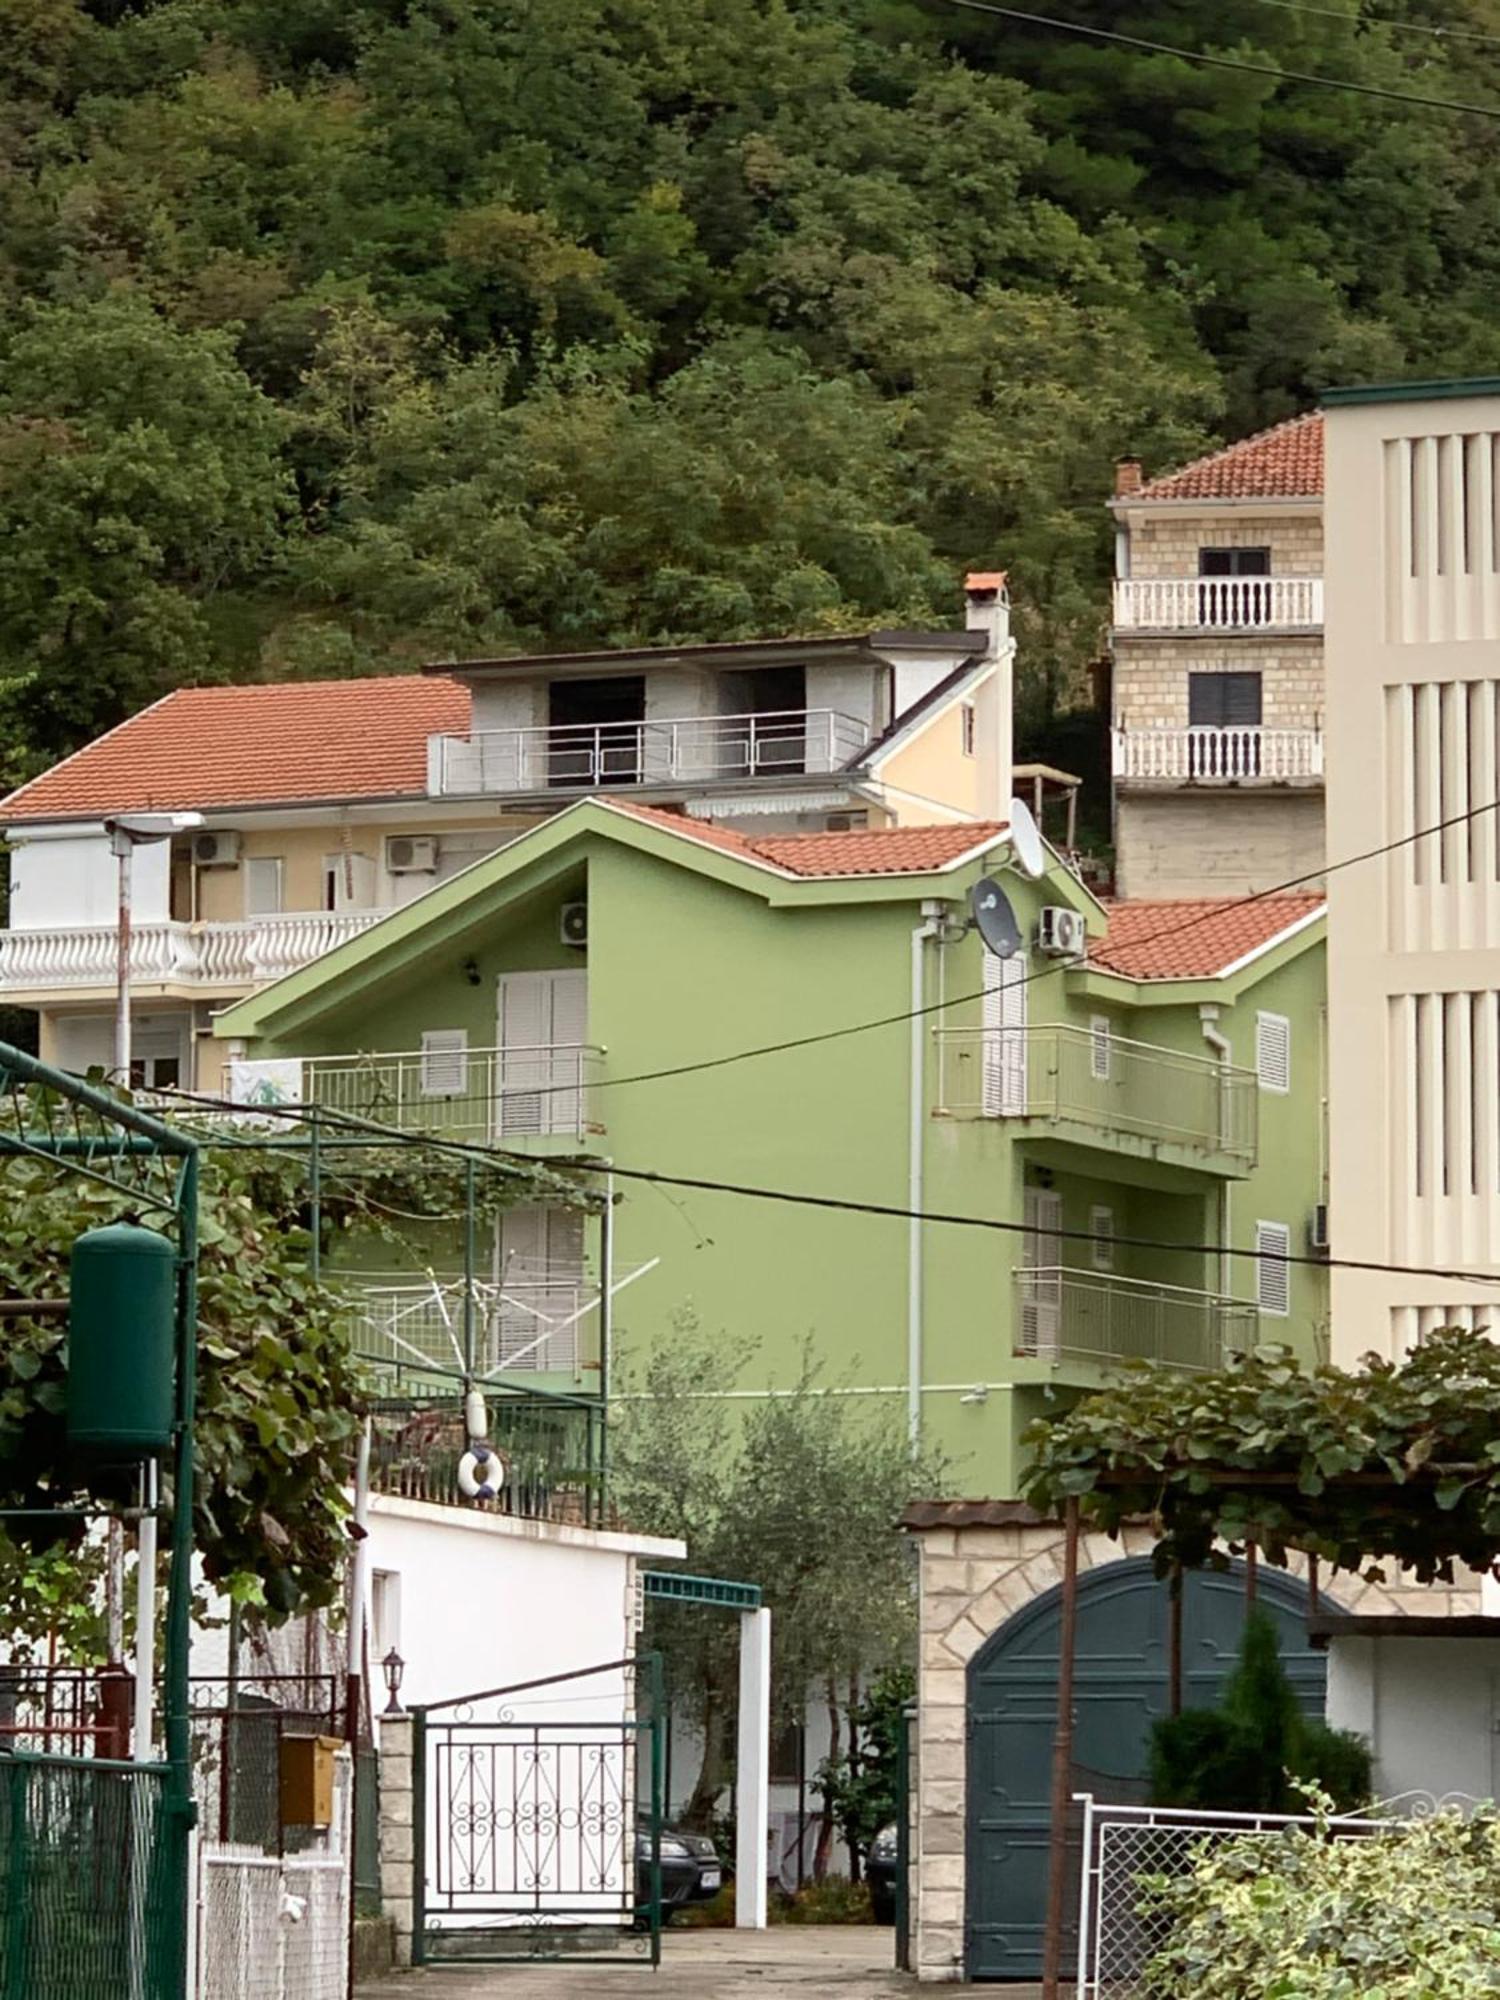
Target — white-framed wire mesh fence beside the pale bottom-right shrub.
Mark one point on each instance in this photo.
(1125, 1849)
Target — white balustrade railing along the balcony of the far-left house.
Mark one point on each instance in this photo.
(185, 955)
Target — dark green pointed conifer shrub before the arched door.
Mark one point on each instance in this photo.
(1251, 1753)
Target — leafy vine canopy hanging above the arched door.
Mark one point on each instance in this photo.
(1393, 1461)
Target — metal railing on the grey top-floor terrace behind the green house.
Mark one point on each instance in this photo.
(605, 755)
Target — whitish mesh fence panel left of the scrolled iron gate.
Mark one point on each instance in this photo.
(277, 1927)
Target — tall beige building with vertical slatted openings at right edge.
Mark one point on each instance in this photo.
(1413, 661)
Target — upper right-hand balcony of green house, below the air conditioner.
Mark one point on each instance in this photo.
(1103, 1091)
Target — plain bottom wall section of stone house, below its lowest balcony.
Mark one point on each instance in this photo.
(1215, 841)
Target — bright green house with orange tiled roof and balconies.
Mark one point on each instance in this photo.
(1129, 1099)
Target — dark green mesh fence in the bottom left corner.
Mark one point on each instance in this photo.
(89, 1903)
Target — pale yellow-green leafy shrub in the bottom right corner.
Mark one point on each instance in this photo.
(1393, 1915)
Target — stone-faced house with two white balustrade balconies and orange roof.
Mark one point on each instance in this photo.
(1217, 687)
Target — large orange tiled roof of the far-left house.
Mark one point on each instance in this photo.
(253, 747)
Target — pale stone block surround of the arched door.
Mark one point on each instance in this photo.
(973, 1579)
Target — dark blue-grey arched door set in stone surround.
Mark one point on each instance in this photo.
(1121, 1689)
